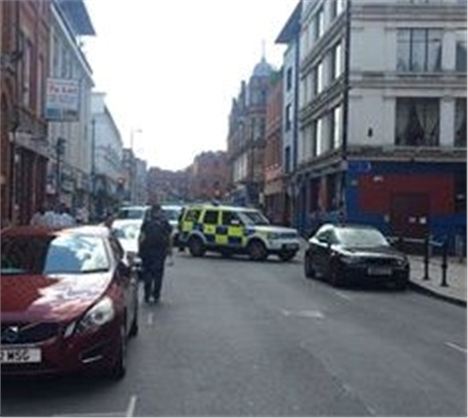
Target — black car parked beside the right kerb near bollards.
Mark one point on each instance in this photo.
(346, 254)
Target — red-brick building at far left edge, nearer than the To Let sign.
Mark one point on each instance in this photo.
(24, 60)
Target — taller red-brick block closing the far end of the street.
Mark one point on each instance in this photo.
(209, 176)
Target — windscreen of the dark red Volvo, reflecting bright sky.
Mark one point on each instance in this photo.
(71, 254)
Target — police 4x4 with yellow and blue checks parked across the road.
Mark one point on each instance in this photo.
(230, 230)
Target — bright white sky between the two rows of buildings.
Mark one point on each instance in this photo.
(170, 68)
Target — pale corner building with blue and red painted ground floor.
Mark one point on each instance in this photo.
(382, 115)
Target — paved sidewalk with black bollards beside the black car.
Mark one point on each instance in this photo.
(456, 278)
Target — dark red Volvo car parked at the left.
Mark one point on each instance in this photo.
(68, 302)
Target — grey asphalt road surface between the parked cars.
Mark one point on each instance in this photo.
(238, 338)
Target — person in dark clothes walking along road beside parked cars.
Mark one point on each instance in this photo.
(155, 246)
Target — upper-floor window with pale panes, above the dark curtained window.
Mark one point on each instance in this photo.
(419, 50)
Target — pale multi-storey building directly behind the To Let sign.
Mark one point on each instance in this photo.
(70, 141)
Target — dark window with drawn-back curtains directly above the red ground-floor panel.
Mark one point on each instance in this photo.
(417, 122)
